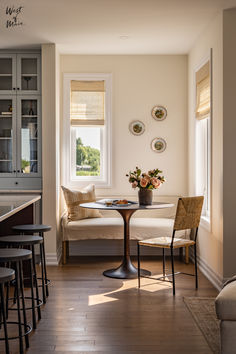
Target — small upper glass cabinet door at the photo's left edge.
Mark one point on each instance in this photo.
(7, 73)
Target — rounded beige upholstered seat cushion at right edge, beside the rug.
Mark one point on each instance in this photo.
(226, 302)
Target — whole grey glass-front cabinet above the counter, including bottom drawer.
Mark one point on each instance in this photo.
(20, 121)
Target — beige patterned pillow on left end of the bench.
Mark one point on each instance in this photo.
(75, 198)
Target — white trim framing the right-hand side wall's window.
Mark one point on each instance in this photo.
(206, 220)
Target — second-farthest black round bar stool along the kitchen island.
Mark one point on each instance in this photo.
(20, 241)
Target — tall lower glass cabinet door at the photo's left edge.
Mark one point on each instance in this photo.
(7, 136)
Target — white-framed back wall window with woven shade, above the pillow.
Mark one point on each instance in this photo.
(87, 133)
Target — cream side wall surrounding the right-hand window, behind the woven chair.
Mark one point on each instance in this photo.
(210, 243)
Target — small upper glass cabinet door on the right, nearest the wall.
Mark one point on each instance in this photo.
(28, 74)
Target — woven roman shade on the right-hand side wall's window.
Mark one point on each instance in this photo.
(203, 106)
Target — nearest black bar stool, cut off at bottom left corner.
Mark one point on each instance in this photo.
(6, 275)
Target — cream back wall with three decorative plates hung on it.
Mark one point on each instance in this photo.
(139, 83)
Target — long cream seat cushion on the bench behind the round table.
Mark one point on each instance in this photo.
(113, 228)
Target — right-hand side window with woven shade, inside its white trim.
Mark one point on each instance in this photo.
(203, 137)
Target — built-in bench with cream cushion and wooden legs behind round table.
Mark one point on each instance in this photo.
(144, 224)
